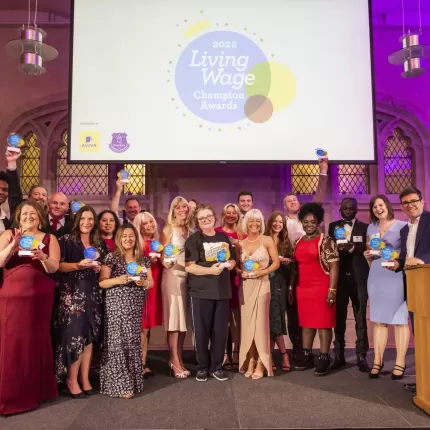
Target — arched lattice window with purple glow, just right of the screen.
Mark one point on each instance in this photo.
(398, 166)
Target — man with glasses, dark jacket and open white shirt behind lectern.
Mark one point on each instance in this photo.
(415, 238)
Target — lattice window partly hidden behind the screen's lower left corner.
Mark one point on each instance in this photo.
(80, 179)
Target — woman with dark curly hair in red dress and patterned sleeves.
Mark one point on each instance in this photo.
(317, 264)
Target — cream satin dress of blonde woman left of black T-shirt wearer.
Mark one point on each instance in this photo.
(174, 288)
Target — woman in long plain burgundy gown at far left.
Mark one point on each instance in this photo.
(26, 299)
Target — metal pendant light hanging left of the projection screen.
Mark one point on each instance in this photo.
(30, 48)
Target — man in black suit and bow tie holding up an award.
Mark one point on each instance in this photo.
(353, 273)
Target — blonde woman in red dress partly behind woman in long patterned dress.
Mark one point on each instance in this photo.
(152, 312)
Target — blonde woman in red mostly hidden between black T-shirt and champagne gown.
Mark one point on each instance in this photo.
(230, 226)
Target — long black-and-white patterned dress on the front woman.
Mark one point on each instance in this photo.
(121, 370)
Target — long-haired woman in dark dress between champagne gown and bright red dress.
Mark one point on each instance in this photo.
(279, 280)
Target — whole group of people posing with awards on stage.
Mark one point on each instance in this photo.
(84, 289)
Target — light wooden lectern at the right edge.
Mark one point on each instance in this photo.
(418, 285)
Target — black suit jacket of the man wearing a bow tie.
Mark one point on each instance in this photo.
(353, 262)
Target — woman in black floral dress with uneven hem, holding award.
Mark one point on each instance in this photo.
(78, 308)
